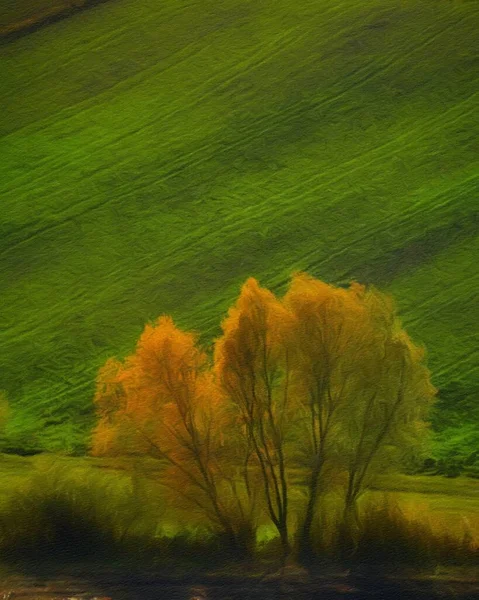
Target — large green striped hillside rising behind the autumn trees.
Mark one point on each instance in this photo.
(155, 154)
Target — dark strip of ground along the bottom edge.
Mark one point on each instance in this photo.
(124, 586)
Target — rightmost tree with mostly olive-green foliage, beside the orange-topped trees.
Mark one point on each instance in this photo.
(386, 423)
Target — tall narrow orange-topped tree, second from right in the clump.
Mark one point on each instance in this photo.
(325, 318)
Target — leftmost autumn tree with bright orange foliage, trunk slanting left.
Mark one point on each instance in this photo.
(163, 402)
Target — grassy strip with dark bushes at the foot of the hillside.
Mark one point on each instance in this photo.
(60, 510)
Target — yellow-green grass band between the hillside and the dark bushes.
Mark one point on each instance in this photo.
(444, 505)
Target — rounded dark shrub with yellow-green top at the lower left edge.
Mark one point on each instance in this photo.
(57, 513)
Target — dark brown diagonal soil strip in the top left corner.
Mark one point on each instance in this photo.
(41, 20)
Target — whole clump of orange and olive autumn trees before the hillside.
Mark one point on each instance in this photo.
(323, 381)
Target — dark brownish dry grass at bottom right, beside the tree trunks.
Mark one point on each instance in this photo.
(389, 532)
